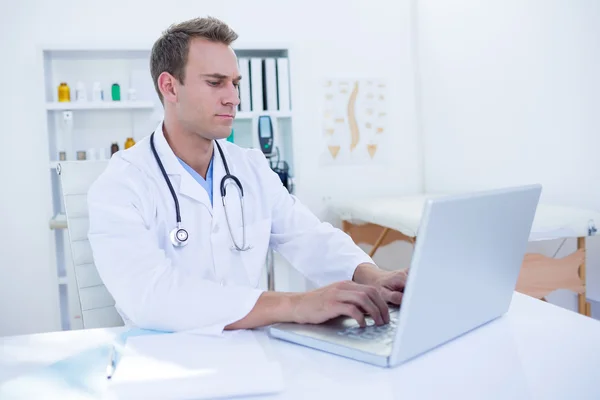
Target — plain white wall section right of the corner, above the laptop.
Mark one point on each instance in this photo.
(509, 95)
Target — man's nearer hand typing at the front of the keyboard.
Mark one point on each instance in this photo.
(343, 298)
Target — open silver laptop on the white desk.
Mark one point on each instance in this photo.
(462, 275)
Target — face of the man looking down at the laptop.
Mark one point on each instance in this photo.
(207, 101)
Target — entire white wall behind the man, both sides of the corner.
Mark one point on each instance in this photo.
(498, 80)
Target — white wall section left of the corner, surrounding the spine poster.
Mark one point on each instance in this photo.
(329, 39)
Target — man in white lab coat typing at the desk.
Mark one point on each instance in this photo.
(208, 283)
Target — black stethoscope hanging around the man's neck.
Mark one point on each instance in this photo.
(179, 236)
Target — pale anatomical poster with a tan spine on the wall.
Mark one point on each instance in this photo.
(354, 116)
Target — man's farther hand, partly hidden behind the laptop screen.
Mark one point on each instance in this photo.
(389, 284)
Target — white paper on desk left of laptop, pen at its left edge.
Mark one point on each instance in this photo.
(181, 365)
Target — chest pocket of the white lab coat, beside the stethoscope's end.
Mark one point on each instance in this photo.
(254, 259)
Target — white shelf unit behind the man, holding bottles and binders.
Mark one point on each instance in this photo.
(85, 125)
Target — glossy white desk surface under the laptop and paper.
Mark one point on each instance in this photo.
(537, 351)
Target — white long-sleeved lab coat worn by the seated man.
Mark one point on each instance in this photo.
(205, 285)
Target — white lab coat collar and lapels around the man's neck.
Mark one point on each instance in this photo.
(181, 180)
